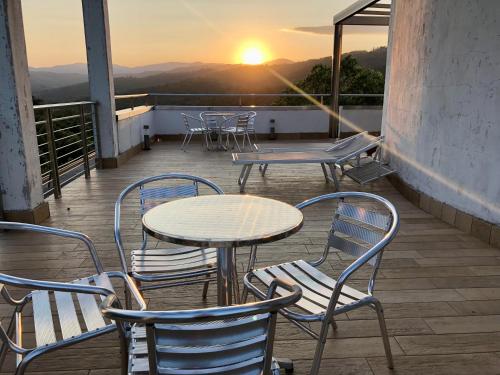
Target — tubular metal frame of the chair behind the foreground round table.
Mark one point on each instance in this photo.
(163, 279)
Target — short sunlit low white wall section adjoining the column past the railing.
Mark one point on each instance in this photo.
(130, 125)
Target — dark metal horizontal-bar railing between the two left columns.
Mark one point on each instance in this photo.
(66, 144)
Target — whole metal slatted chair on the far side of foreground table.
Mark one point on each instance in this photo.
(165, 267)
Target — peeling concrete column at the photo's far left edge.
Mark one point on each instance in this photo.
(20, 174)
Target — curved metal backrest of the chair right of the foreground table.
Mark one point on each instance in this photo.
(357, 231)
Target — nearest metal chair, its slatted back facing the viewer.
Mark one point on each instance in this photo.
(221, 340)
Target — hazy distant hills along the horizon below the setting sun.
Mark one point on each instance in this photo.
(188, 78)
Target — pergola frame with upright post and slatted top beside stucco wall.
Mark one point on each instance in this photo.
(361, 13)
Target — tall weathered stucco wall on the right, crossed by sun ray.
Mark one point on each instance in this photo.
(442, 114)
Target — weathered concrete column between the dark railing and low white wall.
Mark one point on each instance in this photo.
(102, 90)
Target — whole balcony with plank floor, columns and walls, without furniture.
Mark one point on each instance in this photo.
(439, 279)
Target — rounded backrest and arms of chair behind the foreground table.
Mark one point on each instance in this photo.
(155, 190)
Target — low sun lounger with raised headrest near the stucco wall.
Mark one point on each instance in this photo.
(337, 155)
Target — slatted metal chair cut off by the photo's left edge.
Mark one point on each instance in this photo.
(74, 302)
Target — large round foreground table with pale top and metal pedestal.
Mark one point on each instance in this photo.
(224, 222)
